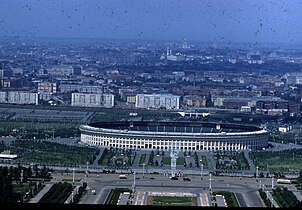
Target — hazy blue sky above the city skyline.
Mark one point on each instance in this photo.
(204, 20)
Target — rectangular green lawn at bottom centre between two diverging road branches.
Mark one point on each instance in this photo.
(172, 201)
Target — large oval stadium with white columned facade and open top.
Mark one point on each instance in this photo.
(194, 136)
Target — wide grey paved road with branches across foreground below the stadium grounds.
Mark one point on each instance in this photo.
(245, 189)
